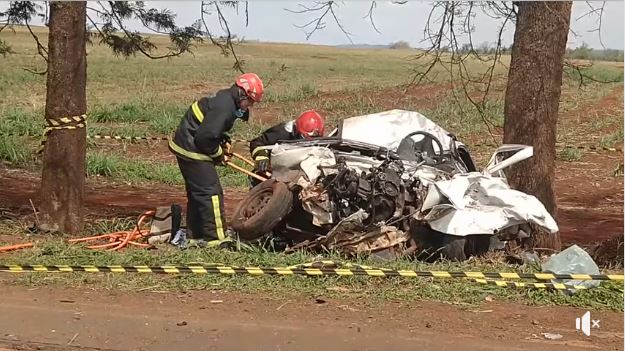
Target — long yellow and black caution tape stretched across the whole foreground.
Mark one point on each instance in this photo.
(355, 271)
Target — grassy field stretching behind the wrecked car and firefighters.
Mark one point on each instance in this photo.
(137, 96)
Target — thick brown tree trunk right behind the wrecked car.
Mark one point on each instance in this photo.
(532, 98)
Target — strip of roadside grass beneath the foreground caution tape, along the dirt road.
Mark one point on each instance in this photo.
(457, 291)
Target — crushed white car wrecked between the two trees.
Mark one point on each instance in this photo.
(391, 183)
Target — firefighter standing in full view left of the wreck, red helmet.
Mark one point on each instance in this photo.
(200, 143)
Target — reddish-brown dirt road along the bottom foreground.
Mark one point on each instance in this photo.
(55, 319)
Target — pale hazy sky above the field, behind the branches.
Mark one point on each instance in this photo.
(269, 21)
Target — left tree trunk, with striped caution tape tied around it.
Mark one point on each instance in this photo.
(63, 176)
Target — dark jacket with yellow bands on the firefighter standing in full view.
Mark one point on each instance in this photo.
(201, 131)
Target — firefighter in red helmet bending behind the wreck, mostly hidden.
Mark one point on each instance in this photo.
(309, 124)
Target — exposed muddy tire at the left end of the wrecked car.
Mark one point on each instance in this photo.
(262, 209)
